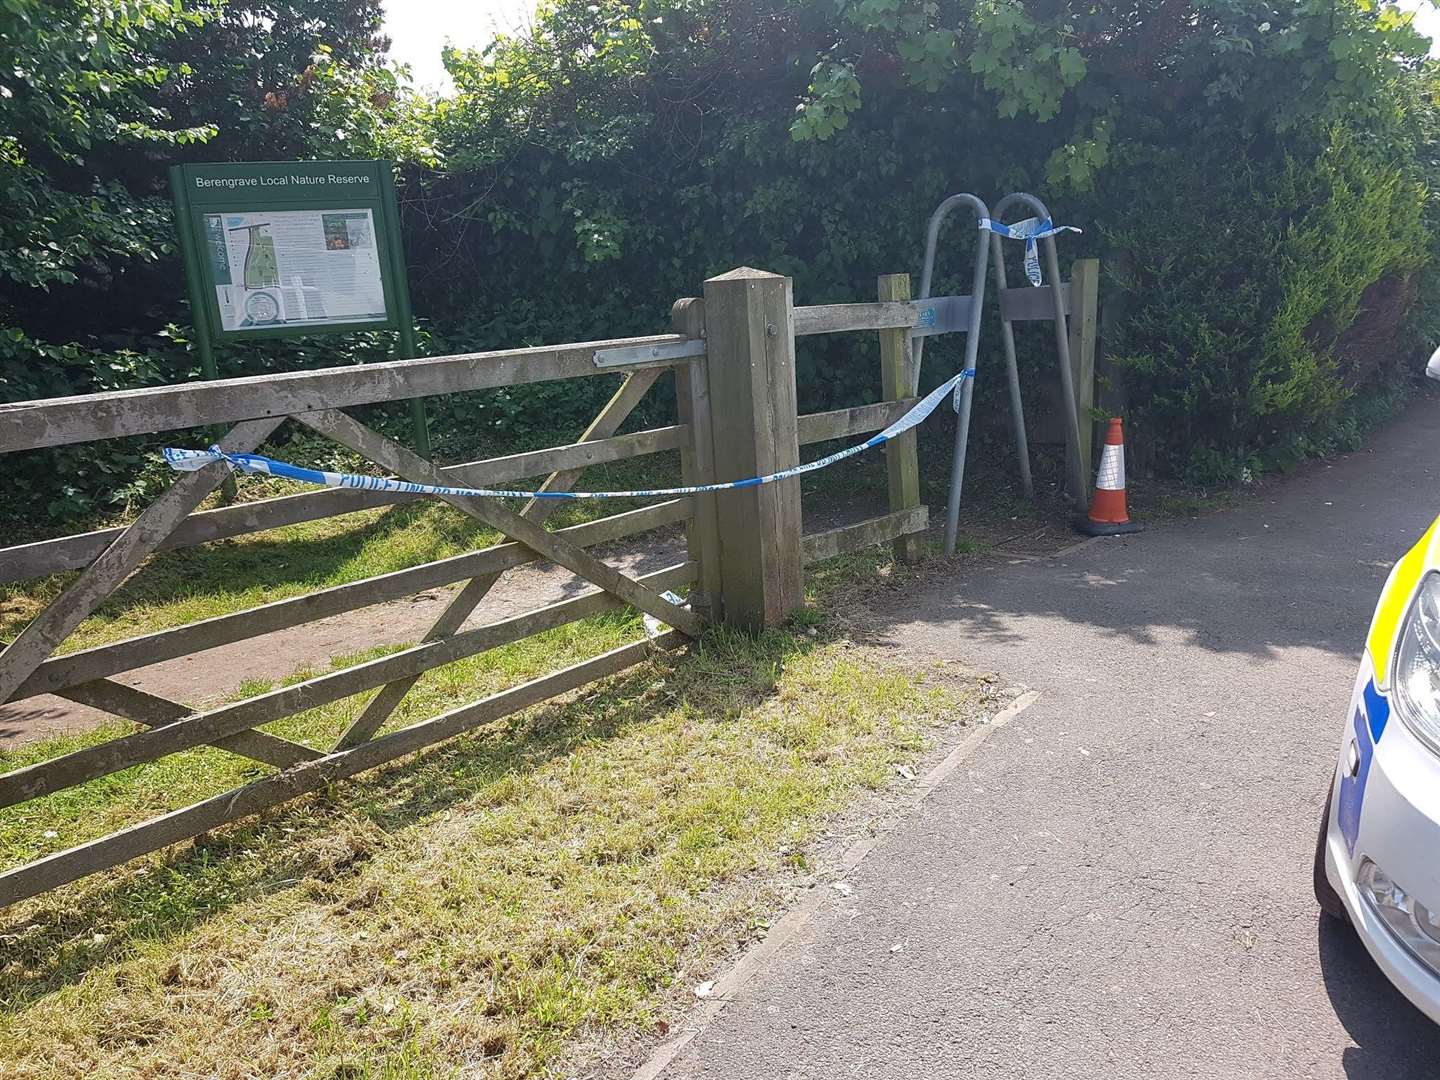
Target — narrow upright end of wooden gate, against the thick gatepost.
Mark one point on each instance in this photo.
(698, 460)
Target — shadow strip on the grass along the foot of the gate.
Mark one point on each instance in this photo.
(320, 840)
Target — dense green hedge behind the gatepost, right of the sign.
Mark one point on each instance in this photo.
(1249, 174)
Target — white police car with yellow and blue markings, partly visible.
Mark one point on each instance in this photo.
(1377, 862)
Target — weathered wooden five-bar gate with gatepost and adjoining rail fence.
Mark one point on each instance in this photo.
(734, 362)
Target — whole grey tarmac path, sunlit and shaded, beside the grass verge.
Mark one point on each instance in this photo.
(1117, 885)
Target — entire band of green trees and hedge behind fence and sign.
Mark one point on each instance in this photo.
(1254, 175)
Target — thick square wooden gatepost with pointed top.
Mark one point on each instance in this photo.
(751, 377)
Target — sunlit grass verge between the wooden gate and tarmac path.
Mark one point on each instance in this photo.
(489, 908)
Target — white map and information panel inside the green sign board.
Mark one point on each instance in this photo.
(294, 269)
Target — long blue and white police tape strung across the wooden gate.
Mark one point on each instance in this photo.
(189, 462)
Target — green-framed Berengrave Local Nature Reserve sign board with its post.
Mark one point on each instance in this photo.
(287, 248)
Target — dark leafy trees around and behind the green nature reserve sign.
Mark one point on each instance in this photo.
(97, 100)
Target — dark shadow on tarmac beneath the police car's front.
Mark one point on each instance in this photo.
(1393, 1039)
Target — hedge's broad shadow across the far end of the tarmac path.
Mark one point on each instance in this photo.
(1298, 565)
